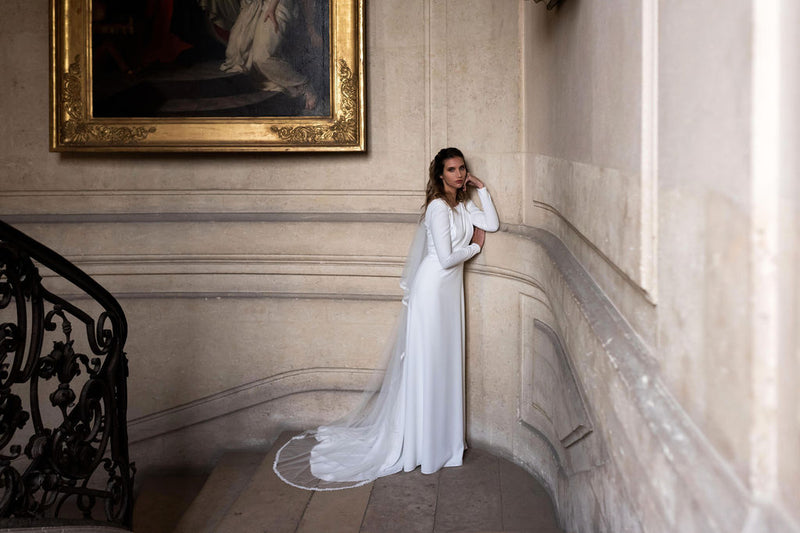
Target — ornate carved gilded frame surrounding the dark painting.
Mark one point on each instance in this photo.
(74, 128)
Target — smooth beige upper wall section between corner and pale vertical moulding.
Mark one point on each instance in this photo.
(583, 82)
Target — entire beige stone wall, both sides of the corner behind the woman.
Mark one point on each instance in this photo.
(627, 339)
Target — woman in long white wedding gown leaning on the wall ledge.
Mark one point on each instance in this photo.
(416, 418)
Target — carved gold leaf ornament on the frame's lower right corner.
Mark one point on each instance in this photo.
(342, 131)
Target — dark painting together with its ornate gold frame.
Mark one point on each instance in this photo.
(328, 120)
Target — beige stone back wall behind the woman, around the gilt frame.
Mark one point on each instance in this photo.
(258, 279)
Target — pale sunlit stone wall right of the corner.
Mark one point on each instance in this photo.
(654, 152)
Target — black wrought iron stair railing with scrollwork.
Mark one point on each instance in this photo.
(63, 434)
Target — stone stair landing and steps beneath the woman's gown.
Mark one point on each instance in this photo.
(242, 495)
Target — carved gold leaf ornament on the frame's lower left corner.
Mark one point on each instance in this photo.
(75, 130)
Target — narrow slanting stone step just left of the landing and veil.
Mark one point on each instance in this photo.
(227, 481)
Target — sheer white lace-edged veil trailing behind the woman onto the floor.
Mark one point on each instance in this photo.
(368, 442)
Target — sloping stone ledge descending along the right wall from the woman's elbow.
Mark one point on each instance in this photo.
(700, 474)
